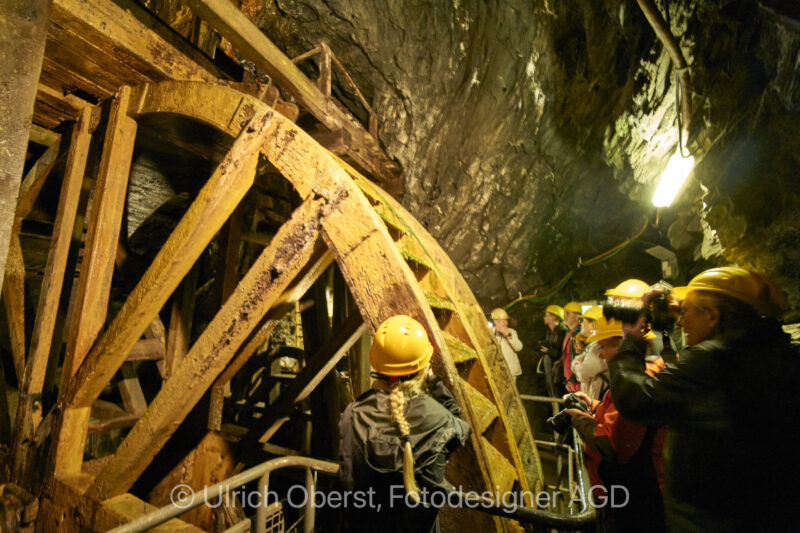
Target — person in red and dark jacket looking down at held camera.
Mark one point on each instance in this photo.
(620, 452)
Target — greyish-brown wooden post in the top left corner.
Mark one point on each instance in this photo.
(23, 28)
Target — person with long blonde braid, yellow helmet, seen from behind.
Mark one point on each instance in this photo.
(396, 438)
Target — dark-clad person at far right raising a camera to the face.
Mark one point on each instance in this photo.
(732, 463)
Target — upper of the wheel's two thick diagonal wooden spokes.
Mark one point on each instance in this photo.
(215, 202)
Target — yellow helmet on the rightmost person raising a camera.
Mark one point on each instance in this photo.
(756, 290)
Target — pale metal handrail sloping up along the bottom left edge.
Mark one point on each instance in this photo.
(167, 512)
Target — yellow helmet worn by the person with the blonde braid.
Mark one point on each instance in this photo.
(400, 347)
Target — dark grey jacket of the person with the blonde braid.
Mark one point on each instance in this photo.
(371, 457)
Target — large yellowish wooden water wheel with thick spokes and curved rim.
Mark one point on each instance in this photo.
(390, 264)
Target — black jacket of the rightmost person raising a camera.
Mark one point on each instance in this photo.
(732, 455)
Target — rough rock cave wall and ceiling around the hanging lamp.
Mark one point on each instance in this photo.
(531, 133)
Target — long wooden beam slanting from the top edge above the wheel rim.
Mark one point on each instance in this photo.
(251, 42)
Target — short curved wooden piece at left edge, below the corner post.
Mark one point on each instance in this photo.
(14, 302)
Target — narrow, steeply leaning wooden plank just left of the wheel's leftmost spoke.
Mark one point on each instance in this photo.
(29, 411)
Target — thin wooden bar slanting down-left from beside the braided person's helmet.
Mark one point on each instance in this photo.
(315, 370)
